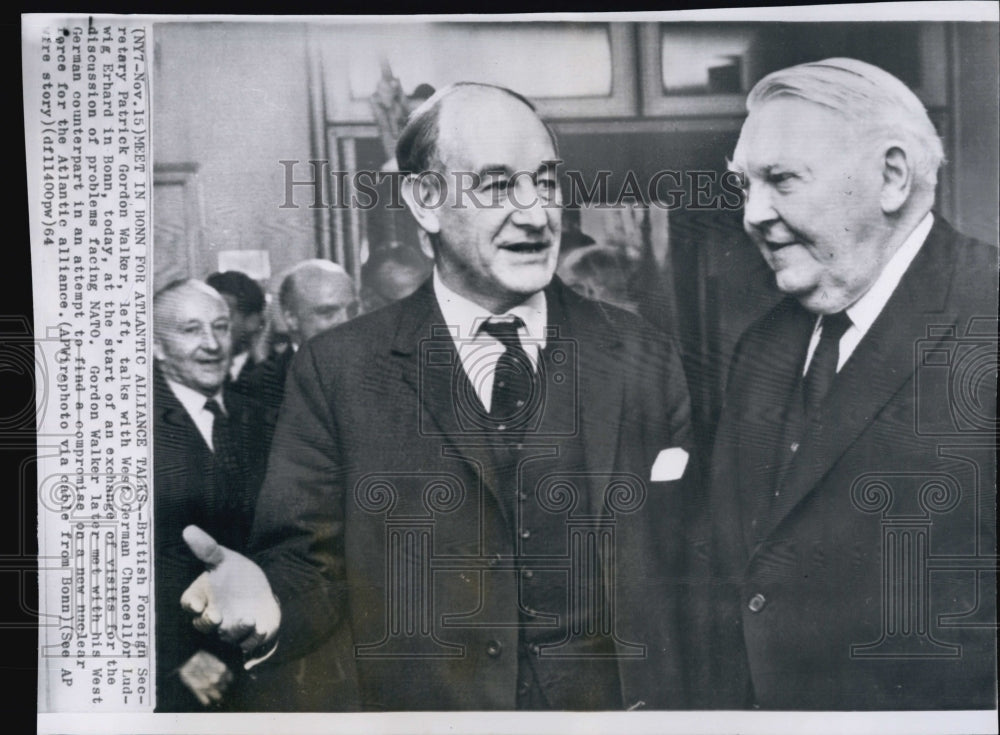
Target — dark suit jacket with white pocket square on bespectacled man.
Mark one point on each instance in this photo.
(371, 439)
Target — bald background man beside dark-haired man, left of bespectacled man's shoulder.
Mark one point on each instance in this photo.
(315, 295)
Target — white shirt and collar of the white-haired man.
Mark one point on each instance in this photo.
(865, 310)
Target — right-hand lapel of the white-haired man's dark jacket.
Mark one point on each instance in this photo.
(878, 368)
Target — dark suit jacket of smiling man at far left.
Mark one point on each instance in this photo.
(184, 493)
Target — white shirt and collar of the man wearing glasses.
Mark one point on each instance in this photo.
(478, 350)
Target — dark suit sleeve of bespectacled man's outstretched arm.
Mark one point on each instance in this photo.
(298, 527)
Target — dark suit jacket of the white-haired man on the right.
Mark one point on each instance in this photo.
(871, 586)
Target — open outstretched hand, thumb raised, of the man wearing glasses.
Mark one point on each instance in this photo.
(231, 596)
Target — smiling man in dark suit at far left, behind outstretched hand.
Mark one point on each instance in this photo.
(206, 472)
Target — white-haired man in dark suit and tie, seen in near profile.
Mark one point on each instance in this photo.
(853, 491)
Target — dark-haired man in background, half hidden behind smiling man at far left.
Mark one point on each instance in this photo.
(246, 303)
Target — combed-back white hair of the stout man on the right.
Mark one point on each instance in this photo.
(879, 103)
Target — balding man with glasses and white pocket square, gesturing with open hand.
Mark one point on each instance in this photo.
(475, 493)
